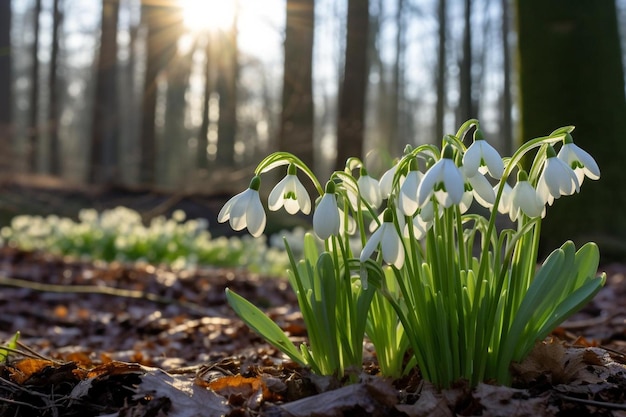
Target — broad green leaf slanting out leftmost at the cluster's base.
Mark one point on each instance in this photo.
(260, 323)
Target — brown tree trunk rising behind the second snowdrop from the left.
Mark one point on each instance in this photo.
(296, 122)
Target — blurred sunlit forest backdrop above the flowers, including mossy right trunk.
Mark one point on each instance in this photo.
(187, 95)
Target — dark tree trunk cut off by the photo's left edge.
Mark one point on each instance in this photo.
(6, 81)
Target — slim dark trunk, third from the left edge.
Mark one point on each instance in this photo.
(53, 105)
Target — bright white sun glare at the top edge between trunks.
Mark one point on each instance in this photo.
(199, 15)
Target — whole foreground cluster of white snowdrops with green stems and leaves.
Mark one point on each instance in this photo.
(457, 287)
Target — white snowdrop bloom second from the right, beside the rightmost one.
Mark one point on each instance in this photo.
(556, 179)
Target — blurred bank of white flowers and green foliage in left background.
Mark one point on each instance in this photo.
(120, 235)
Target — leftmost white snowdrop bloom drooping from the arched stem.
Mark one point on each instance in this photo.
(245, 210)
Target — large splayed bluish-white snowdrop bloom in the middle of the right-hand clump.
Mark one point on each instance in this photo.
(444, 179)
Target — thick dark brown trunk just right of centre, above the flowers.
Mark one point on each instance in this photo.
(351, 120)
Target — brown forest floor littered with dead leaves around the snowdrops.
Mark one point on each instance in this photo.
(120, 340)
